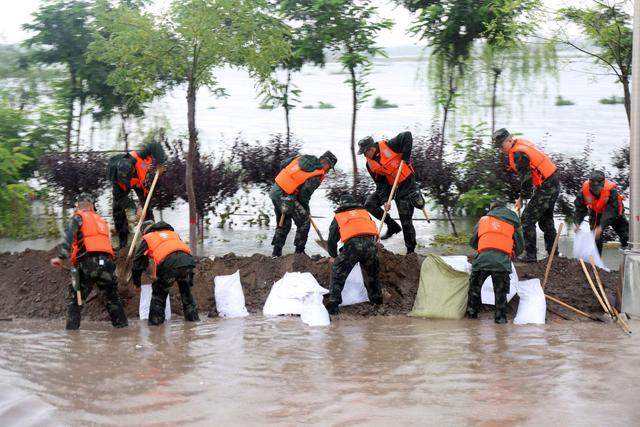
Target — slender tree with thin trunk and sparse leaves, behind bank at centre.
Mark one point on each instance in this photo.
(353, 29)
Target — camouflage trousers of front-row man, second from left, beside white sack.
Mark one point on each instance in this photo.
(160, 290)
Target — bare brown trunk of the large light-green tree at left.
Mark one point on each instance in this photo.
(191, 160)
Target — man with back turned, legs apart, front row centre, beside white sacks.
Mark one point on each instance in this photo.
(358, 234)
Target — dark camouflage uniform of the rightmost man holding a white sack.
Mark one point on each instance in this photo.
(610, 217)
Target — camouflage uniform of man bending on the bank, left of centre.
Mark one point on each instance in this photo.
(296, 207)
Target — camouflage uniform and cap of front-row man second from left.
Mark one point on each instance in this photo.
(176, 267)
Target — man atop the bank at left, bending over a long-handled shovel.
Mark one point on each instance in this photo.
(128, 172)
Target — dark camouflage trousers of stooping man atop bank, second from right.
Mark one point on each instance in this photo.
(540, 211)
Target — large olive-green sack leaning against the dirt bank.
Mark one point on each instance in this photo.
(442, 293)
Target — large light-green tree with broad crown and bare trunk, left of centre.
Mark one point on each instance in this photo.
(152, 53)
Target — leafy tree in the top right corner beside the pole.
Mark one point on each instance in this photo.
(609, 39)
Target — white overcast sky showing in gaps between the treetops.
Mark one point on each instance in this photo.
(15, 13)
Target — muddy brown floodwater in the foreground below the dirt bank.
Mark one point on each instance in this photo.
(375, 371)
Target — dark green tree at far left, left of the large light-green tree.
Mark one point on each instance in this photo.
(62, 36)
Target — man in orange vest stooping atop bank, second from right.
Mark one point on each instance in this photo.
(538, 173)
